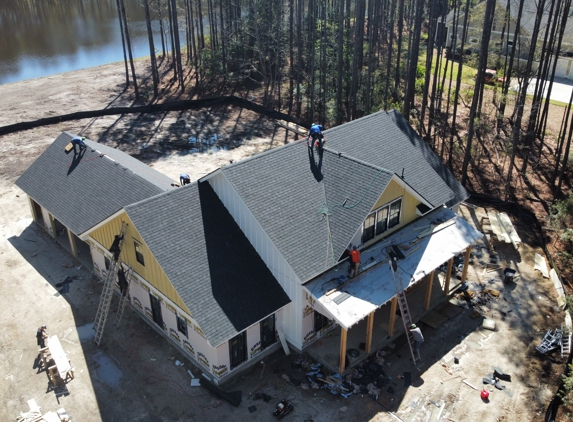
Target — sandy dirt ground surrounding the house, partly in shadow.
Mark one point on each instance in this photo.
(132, 376)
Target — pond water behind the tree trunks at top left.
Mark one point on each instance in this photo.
(45, 37)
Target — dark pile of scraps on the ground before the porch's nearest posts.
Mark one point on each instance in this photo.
(367, 378)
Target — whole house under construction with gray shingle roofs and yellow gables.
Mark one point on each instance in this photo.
(253, 255)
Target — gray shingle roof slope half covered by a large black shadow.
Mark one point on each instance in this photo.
(216, 271)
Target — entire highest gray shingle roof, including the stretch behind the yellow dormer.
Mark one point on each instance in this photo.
(300, 206)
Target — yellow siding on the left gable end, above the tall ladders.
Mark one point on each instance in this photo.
(152, 271)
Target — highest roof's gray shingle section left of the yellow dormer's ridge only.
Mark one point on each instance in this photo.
(305, 217)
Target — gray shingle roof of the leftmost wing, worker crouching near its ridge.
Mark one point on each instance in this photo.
(82, 191)
